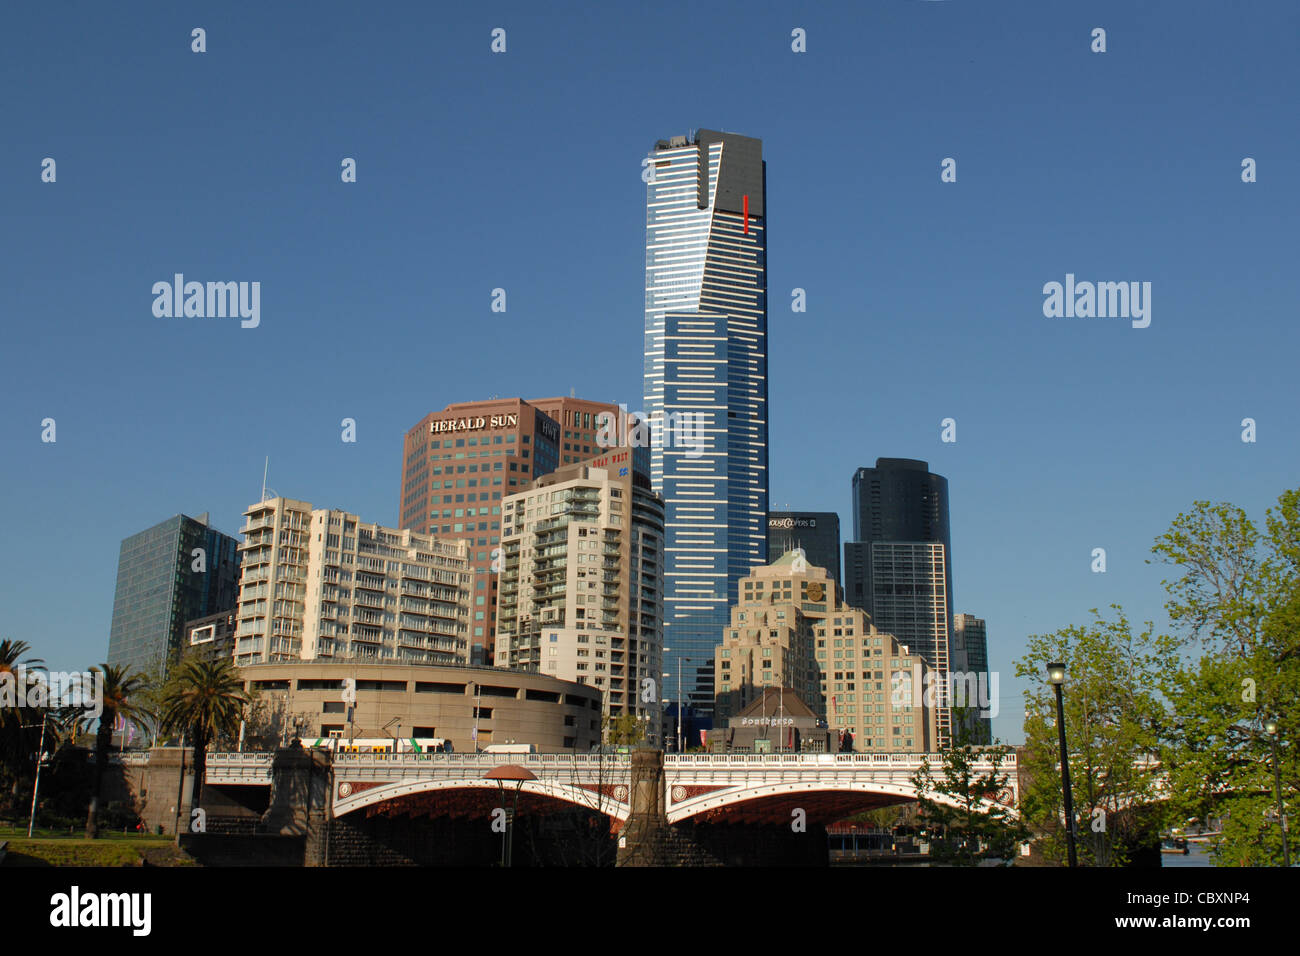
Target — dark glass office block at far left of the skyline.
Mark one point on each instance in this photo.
(179, 570)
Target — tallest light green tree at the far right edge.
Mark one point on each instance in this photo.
(1236, 599)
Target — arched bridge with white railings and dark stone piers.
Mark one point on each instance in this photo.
(298, 807)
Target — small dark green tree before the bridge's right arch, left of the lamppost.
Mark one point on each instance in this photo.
(961, 804)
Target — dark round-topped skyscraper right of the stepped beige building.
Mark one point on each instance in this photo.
(899, 565)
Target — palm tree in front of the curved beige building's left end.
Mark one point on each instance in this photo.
(206, 700)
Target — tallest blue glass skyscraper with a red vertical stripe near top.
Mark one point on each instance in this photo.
(707, 388)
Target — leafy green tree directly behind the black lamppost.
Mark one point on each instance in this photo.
(1115, 716)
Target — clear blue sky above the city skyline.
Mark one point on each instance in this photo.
(523, 171)
